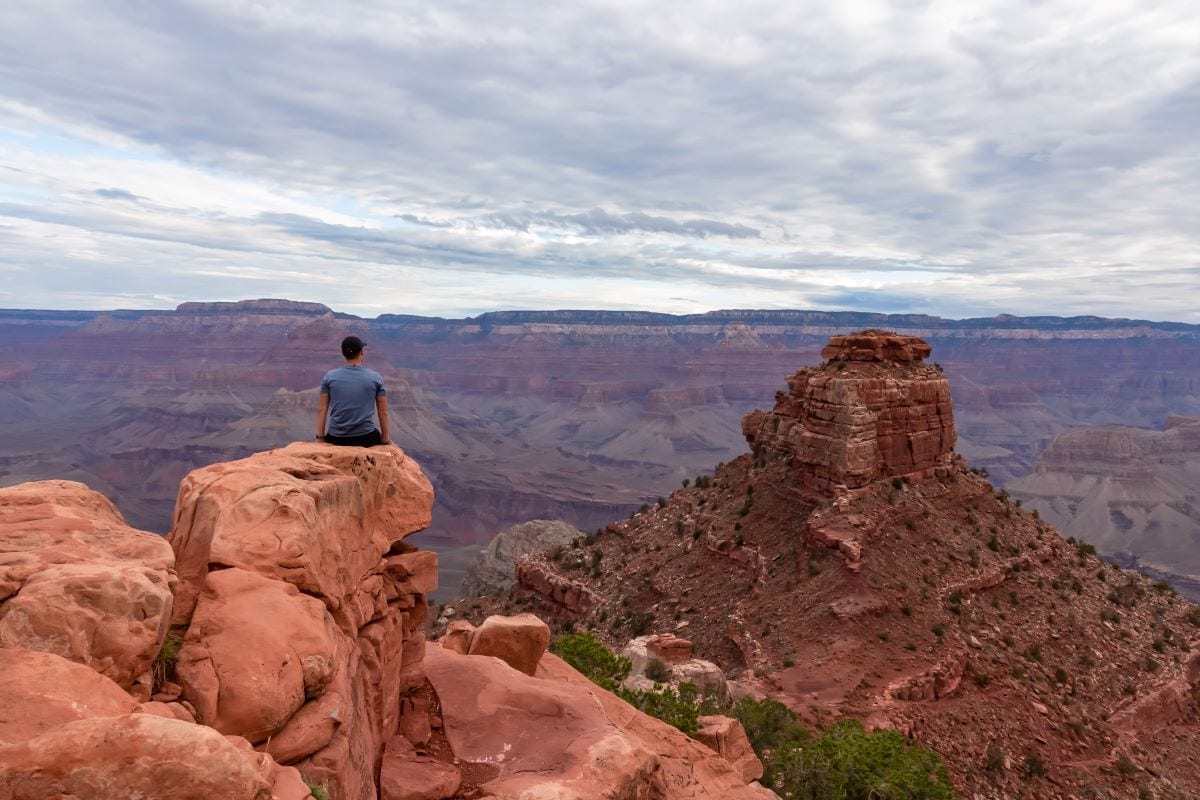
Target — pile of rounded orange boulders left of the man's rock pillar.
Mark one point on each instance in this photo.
(88, 600)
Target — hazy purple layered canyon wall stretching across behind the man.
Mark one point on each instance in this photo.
(572, 416)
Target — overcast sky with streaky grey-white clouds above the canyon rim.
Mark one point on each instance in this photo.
(962, 158)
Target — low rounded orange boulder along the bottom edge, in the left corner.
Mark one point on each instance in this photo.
(139, 756)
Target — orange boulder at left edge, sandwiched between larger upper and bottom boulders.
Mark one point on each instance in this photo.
(40, 691)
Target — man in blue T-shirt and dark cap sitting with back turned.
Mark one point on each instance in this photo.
(350, 399)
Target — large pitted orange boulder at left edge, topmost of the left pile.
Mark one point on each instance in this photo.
(79, 582)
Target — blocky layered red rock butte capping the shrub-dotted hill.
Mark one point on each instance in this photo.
(874, 411)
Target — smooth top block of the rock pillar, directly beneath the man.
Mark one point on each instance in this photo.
(314, 515)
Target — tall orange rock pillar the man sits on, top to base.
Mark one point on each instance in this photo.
(304, 605)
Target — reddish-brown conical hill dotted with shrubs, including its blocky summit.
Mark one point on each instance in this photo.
(909, 594)
